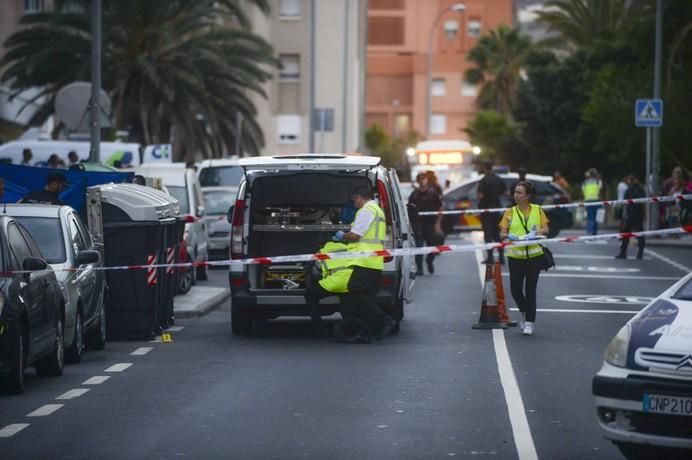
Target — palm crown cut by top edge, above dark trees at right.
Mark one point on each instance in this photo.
(586, 23)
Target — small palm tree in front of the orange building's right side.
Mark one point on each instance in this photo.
(498, 59)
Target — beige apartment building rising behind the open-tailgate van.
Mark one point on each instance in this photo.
(321, 46)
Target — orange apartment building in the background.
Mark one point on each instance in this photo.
(400, 33)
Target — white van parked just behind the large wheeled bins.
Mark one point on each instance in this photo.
(181, 183)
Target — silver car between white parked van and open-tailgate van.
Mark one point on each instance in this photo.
(217, 202)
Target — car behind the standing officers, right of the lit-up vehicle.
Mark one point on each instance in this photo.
(465, 196)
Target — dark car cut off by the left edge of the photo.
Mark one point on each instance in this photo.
(32, 309)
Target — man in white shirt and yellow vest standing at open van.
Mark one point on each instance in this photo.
(367, 235)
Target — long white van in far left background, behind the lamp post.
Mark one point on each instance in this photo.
(117, 154)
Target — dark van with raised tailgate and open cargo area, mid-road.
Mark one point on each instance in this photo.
(291, 205)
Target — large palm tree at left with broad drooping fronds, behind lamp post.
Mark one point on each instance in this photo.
(180, 69)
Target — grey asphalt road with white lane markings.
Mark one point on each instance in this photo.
(439, 389)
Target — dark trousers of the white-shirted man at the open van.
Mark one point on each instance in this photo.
(362, 288)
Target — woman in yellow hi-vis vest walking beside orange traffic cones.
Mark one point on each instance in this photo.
(525, 262)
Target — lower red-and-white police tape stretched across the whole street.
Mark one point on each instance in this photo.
(685, 230)
